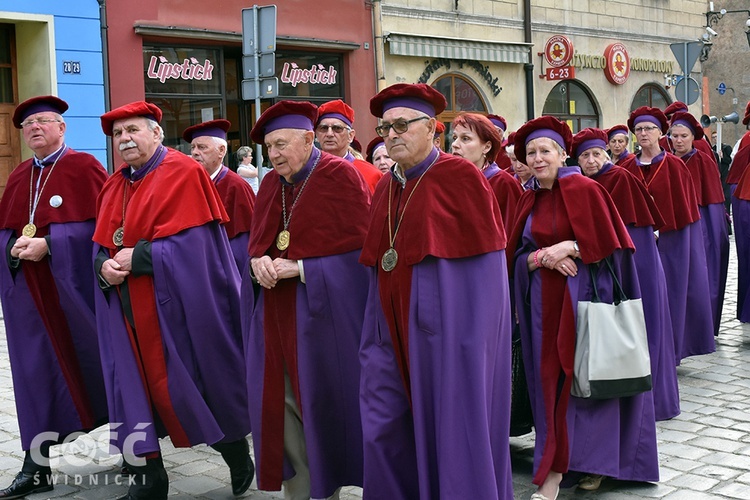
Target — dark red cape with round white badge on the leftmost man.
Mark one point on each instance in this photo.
(74, 173)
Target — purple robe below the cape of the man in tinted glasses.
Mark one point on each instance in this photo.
(453, 440)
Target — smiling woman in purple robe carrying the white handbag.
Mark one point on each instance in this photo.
(566, 225)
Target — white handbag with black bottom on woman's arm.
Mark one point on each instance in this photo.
(611, 358)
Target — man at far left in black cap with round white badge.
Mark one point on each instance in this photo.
(46, 286)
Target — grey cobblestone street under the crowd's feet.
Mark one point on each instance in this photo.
(704, 452)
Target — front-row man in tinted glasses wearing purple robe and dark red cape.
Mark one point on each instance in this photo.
(435, 354)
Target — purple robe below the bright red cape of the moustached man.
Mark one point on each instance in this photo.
(196, 288)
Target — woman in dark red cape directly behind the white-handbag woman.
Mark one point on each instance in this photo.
(641, 218)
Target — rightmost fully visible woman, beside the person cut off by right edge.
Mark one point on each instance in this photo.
(685, 131)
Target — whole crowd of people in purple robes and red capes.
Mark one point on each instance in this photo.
(354, 315)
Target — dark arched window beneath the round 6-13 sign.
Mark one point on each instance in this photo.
(570, 102)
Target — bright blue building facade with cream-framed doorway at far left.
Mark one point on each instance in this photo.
(51, 47)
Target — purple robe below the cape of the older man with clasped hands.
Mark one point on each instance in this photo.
(330, 307)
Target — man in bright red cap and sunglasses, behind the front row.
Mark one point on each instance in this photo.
(334, 133)
